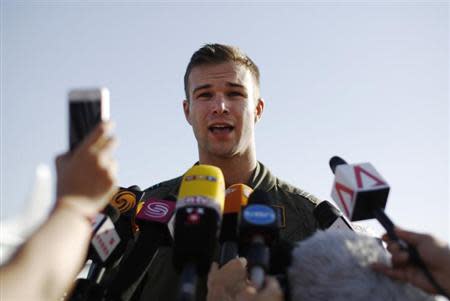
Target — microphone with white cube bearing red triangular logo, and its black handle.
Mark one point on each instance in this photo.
(362, 193)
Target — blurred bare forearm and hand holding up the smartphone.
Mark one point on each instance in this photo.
(46, 265)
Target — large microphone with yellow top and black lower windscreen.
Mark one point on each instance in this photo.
(198, 217)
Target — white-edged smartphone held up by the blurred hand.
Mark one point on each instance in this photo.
(87, 108)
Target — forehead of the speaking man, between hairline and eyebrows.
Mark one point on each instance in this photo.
(216, 73)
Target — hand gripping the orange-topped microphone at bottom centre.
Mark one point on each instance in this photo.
(226, 282)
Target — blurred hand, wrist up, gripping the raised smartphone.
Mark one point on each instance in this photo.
(87, 176)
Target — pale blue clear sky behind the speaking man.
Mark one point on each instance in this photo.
(366, 80)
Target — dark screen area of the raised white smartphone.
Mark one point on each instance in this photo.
(84, 117)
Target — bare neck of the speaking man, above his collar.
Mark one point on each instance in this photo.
(236, 170)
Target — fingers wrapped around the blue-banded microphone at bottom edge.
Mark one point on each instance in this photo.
(270, 292)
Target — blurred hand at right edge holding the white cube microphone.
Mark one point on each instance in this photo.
(435, 254)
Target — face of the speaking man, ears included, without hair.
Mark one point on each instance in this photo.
(222, 109)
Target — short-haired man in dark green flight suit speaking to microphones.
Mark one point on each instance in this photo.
(223, 105)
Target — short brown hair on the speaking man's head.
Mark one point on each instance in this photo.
(213, 54)
